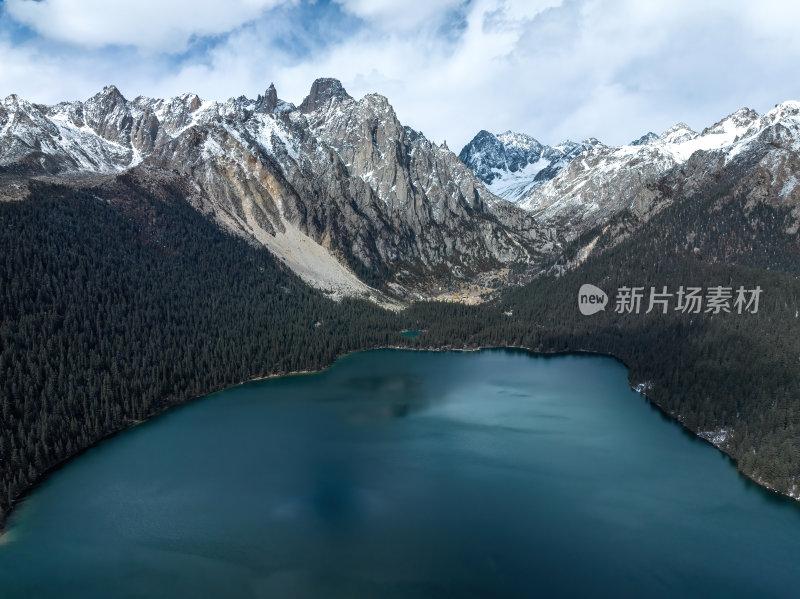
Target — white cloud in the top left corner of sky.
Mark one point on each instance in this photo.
(151, 25)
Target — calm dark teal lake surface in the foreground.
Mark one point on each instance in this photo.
(407, 474)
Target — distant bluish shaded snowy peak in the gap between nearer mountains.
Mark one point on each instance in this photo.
(512, 164)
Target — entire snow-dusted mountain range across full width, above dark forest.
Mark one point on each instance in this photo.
(343, 193)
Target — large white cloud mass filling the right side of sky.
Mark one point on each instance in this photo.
(611, 69)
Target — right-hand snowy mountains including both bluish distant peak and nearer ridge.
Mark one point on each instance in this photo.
(574, 187)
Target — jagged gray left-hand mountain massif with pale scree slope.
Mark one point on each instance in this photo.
(338, 188)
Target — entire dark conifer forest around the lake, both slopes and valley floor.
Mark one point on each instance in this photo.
(116, 306)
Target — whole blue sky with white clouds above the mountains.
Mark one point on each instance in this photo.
(611, 69)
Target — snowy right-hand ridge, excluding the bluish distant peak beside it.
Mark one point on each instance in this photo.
(604, 180)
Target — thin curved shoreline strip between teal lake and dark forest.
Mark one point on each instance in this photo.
(533, 352)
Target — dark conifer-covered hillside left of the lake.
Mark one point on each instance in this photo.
(116, 304)
